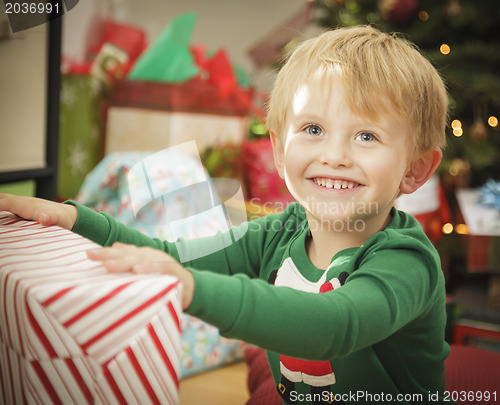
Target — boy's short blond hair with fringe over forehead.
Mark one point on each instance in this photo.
(375, 68)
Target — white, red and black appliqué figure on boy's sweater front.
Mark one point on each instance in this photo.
(318, 375)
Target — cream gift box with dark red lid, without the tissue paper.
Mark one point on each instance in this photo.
(152, 116)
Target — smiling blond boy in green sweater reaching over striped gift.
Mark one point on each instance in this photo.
(344, 292)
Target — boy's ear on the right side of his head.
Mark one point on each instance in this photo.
(420, 170)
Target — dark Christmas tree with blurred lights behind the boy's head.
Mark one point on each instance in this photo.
(462, 39)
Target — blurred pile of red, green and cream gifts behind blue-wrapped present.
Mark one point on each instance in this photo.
(133, 96)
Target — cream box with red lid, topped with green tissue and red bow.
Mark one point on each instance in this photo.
(177, 92)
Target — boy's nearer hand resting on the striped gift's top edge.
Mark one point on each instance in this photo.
(122, 257)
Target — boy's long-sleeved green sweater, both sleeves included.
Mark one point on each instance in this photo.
(382, 331)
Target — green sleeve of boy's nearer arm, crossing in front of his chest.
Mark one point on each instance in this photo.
(389, 290)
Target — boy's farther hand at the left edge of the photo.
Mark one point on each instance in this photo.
(36, 209)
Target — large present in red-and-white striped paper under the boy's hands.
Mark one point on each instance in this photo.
(72, 333)
